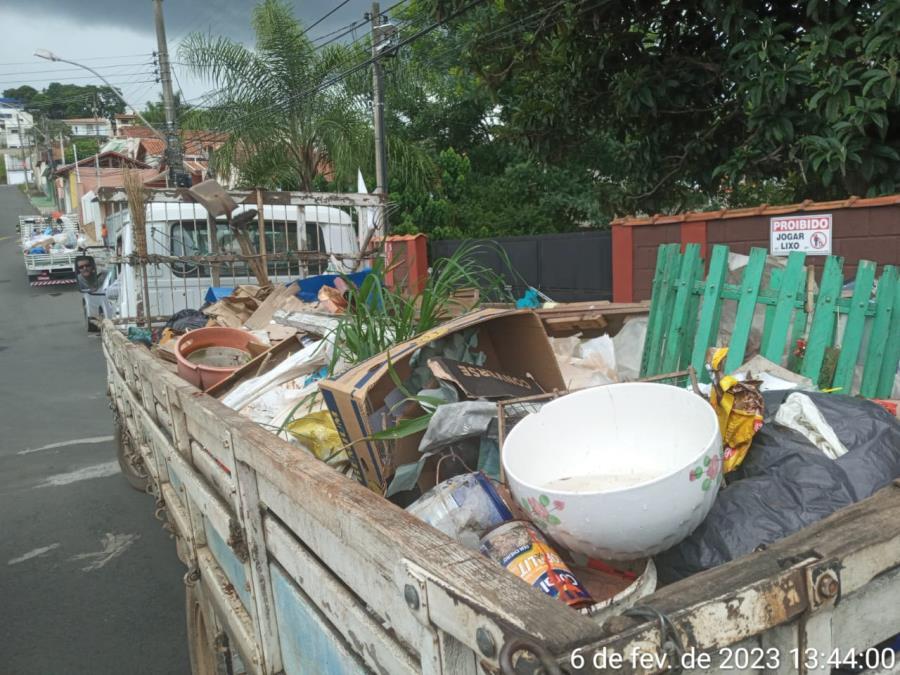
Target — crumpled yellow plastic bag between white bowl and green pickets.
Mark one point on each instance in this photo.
(739, 407)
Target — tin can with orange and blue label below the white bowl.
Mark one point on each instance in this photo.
(523, 550)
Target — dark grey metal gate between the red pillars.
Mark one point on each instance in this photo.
(566, 267)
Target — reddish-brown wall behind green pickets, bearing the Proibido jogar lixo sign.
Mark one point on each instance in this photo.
(863, 233)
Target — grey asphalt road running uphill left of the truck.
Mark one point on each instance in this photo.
(89, 581)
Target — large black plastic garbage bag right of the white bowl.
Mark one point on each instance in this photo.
(787, 483)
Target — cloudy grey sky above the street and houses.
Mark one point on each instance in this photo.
(116, 37)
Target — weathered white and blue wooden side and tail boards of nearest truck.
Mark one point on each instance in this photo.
(297, 568)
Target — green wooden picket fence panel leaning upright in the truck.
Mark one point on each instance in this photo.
(686, 310)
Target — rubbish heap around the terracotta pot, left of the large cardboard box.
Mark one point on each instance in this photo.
(267, 370)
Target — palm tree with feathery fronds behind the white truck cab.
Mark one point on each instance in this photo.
(286, 124)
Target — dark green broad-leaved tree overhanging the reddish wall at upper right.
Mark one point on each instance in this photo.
(681, 104)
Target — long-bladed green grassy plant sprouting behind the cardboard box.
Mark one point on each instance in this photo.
(379, 317)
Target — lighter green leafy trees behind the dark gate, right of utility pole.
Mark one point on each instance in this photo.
(487, 181)
